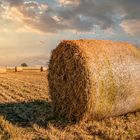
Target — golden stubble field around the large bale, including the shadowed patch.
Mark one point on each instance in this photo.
(26, 113)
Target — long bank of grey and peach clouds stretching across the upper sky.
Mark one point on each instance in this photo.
(78, 15)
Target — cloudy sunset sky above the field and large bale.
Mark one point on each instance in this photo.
(33, 28)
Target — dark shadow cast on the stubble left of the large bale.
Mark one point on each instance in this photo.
(26, 114)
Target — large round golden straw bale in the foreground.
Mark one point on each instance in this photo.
(94, 79)
